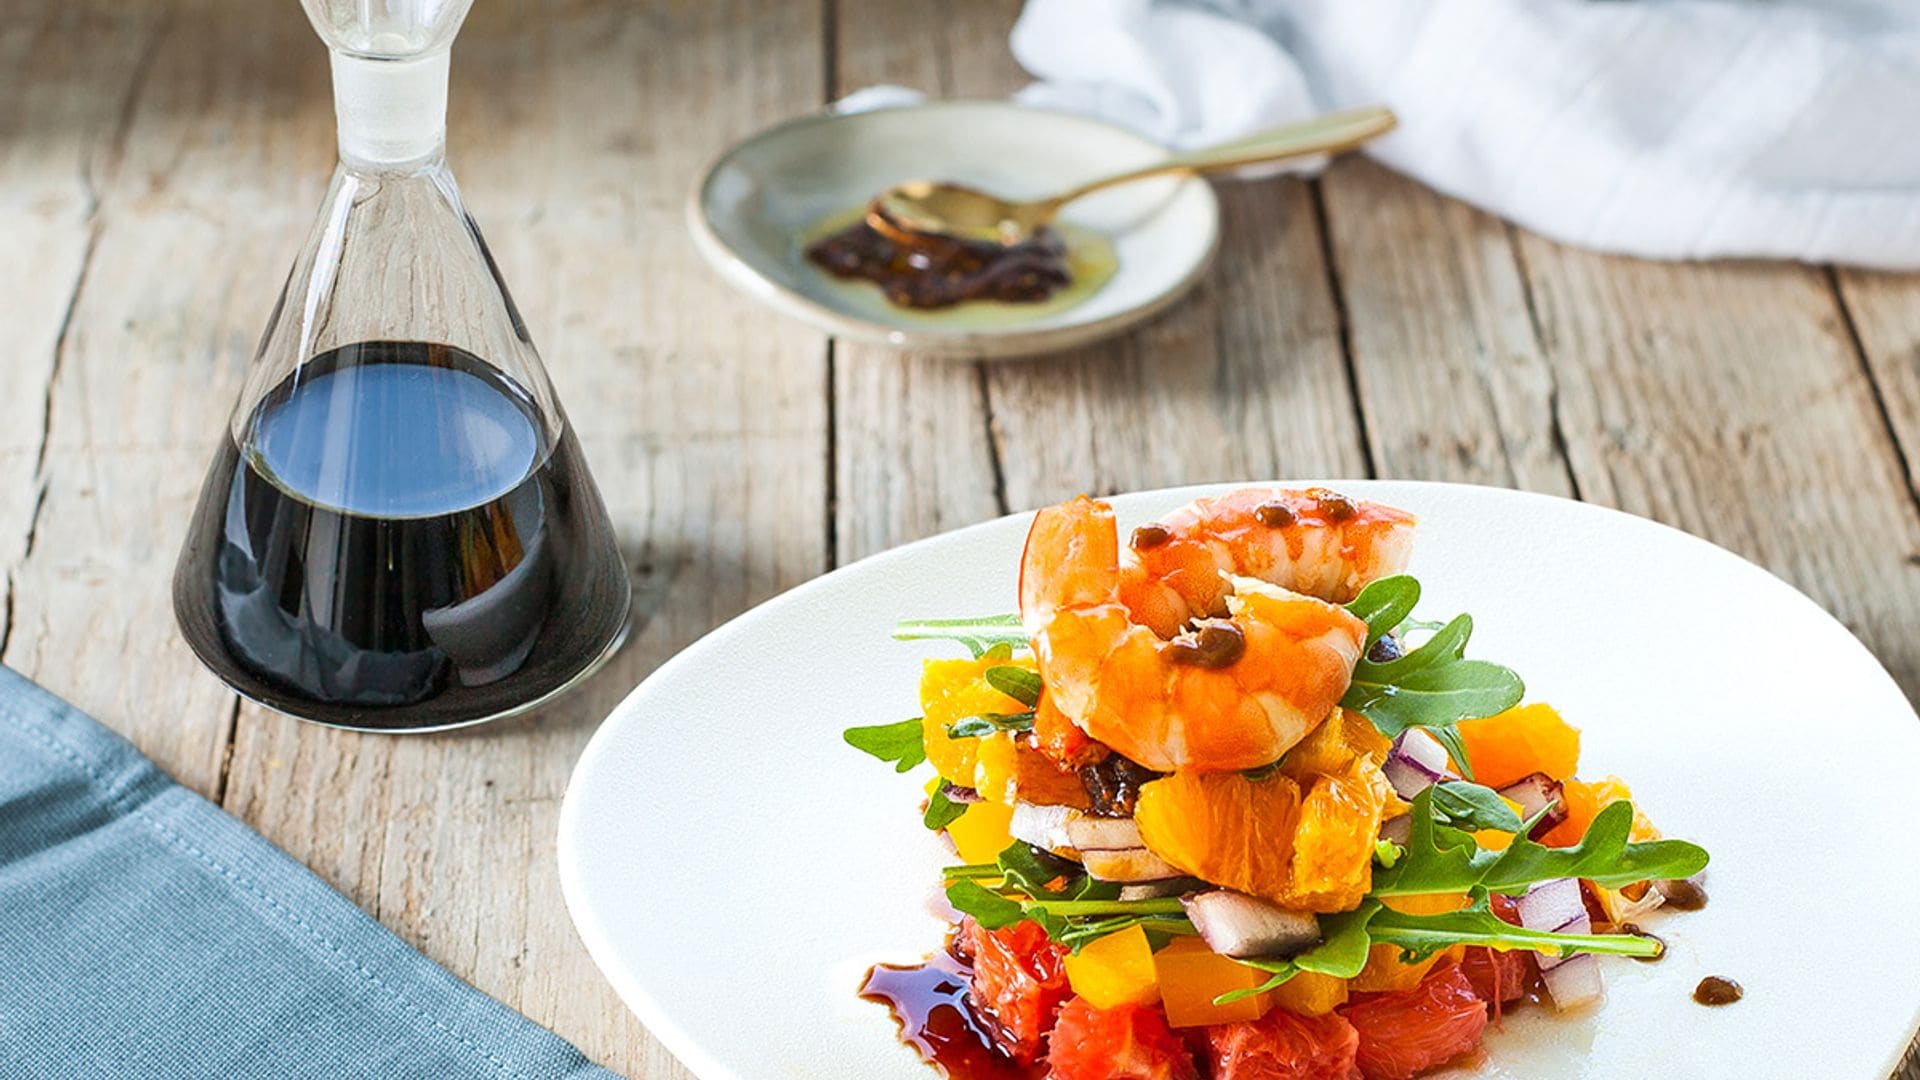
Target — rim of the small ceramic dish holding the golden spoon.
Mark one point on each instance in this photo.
(972, 343)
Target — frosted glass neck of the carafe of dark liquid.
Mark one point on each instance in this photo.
(393, 112)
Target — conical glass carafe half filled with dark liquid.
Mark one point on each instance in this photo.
(398, 531)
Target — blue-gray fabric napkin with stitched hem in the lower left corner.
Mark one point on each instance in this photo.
(147, 933)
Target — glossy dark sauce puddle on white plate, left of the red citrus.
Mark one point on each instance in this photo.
(930, 1002)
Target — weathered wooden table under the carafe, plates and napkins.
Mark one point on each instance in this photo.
(160, 164)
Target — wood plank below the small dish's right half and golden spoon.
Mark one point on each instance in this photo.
(1245, 380)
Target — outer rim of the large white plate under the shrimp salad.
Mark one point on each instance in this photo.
(704, 1064)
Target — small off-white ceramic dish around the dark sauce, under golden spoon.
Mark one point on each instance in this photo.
(761, 203)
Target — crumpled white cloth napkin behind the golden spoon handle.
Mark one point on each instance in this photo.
(1656, 128)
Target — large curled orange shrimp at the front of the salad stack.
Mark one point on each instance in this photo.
(1230, 695)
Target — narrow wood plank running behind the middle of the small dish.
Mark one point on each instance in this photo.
(913, 447)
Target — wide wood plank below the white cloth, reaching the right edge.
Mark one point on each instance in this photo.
(1727, 399)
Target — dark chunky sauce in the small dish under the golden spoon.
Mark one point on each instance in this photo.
(926, 270)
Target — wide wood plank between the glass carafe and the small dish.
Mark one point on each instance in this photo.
(575, 135)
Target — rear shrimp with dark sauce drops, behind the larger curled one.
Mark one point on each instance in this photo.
(1318, 543)
